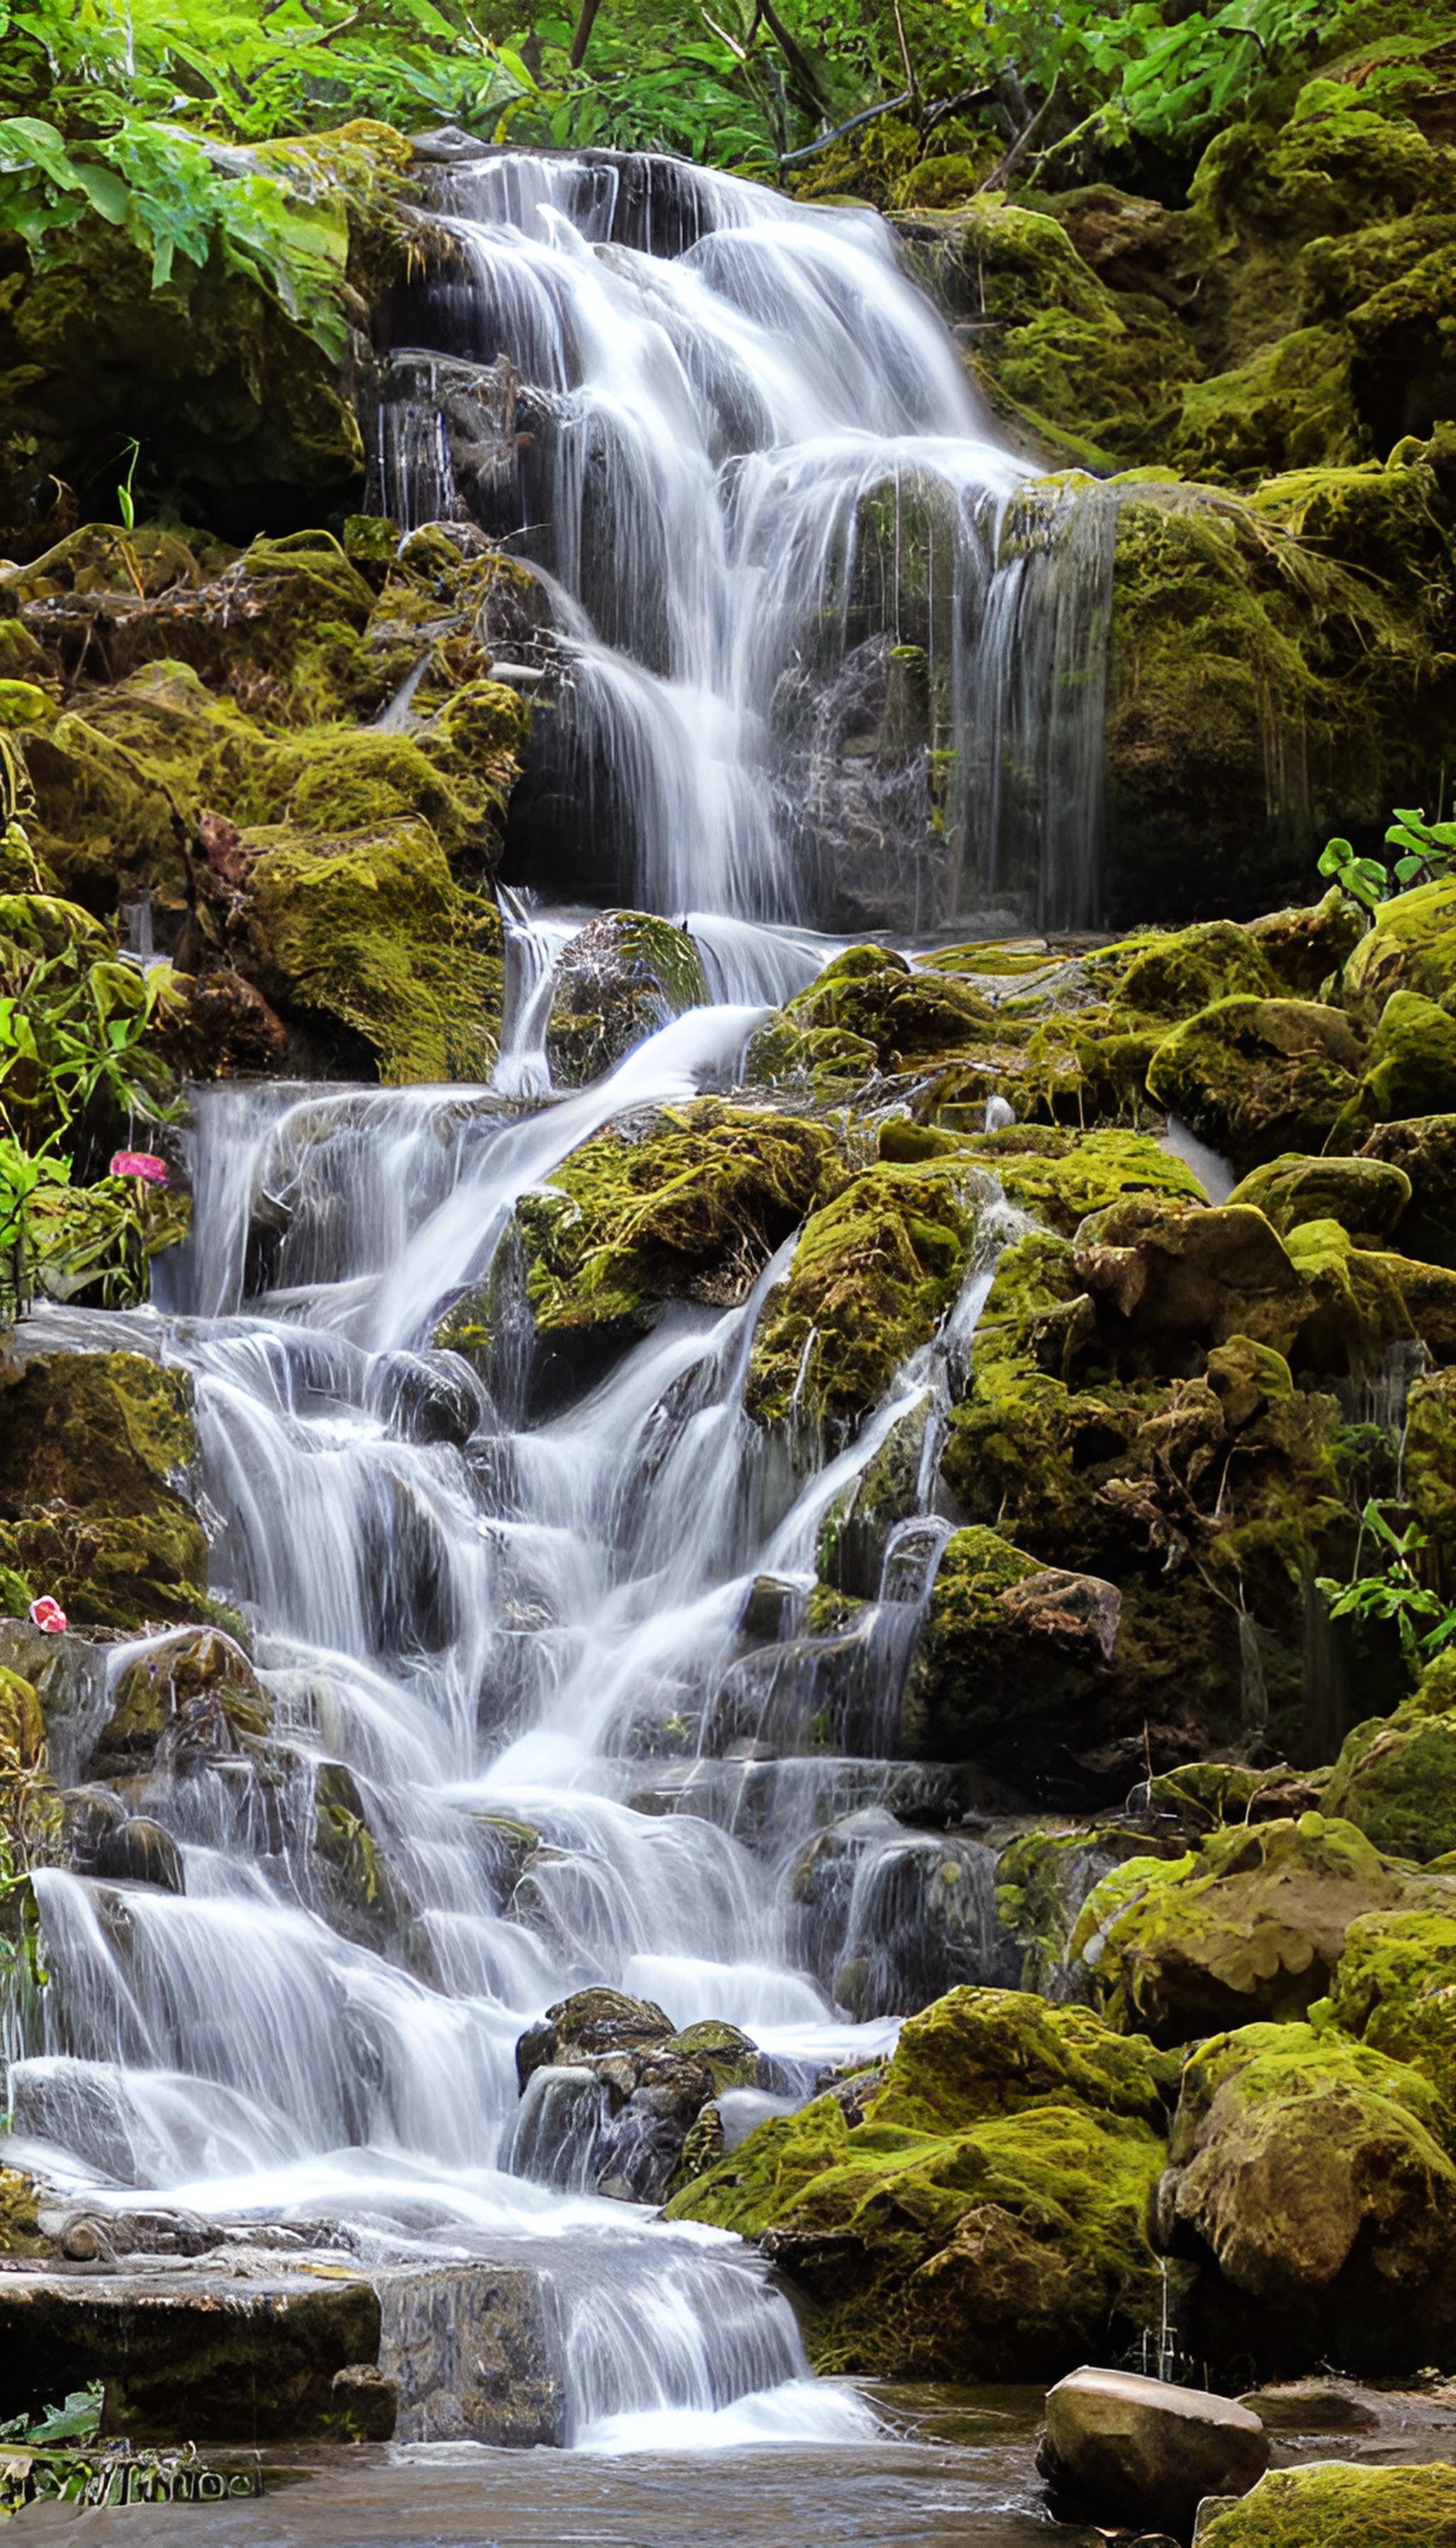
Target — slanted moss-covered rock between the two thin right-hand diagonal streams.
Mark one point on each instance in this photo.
(871, 1278)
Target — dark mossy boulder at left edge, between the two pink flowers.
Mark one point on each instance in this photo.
(91, 1510)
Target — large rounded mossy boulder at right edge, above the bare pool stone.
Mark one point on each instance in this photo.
(1314, 2172)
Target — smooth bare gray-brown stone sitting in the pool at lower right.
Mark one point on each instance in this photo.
(1141, 2452)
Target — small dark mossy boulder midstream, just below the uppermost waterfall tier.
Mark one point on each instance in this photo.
(623, 977)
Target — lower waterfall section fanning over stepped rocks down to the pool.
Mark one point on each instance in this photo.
(511, 1660)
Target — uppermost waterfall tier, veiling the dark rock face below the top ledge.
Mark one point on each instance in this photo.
(827, 651)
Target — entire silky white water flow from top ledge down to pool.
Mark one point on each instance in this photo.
(516, 1624)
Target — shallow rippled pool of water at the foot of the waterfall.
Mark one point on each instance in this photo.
(950, 2470)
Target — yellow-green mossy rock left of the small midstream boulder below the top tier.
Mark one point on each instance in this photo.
(376, 939)
